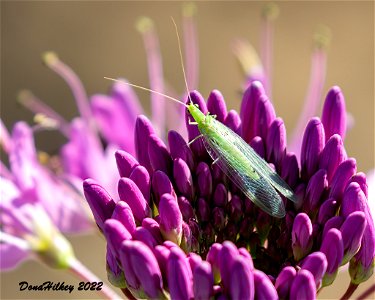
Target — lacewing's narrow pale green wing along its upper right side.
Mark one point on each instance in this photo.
(258, 163)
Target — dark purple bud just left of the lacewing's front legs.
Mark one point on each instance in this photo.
(180, 149)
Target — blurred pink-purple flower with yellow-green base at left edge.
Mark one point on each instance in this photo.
(29, 216)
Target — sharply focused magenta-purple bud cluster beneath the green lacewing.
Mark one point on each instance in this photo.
(182, 227)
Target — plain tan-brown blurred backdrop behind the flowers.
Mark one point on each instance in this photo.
(99, 39)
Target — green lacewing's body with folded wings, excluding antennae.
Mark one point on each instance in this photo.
(252, 174)
